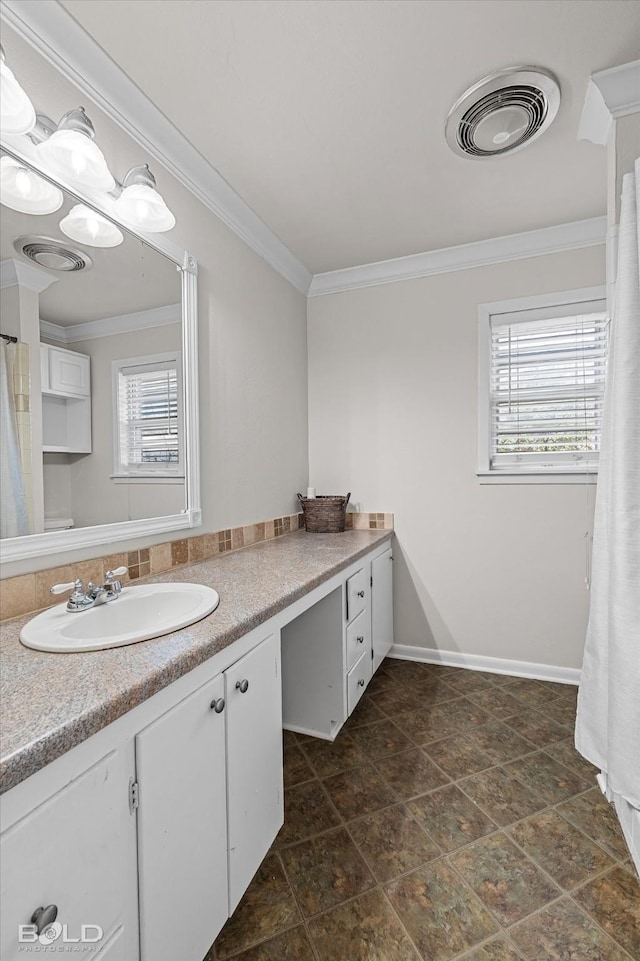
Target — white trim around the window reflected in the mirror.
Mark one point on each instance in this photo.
(149, 475)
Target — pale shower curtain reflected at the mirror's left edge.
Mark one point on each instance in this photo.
(14, 518)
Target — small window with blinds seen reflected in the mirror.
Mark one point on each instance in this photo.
(147, 420)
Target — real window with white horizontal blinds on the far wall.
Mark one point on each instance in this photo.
(542, 371)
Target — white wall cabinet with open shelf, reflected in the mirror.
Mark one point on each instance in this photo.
(65, 378)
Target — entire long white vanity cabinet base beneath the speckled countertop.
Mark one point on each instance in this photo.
(148, 832)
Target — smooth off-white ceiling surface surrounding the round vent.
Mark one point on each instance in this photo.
(327, 118)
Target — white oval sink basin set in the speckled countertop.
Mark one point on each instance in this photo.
(139, 614)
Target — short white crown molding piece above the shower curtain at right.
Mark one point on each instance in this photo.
(610, 94)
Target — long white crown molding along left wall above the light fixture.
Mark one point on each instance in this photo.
(51, 30)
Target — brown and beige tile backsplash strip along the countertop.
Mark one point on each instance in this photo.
(30, 592)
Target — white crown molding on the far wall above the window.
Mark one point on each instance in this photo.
(532, 243)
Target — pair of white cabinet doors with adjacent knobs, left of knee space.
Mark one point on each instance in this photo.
(210, 793)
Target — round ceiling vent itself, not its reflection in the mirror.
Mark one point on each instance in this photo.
(503, 112)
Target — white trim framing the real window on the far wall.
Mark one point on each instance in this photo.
(535, 474)
